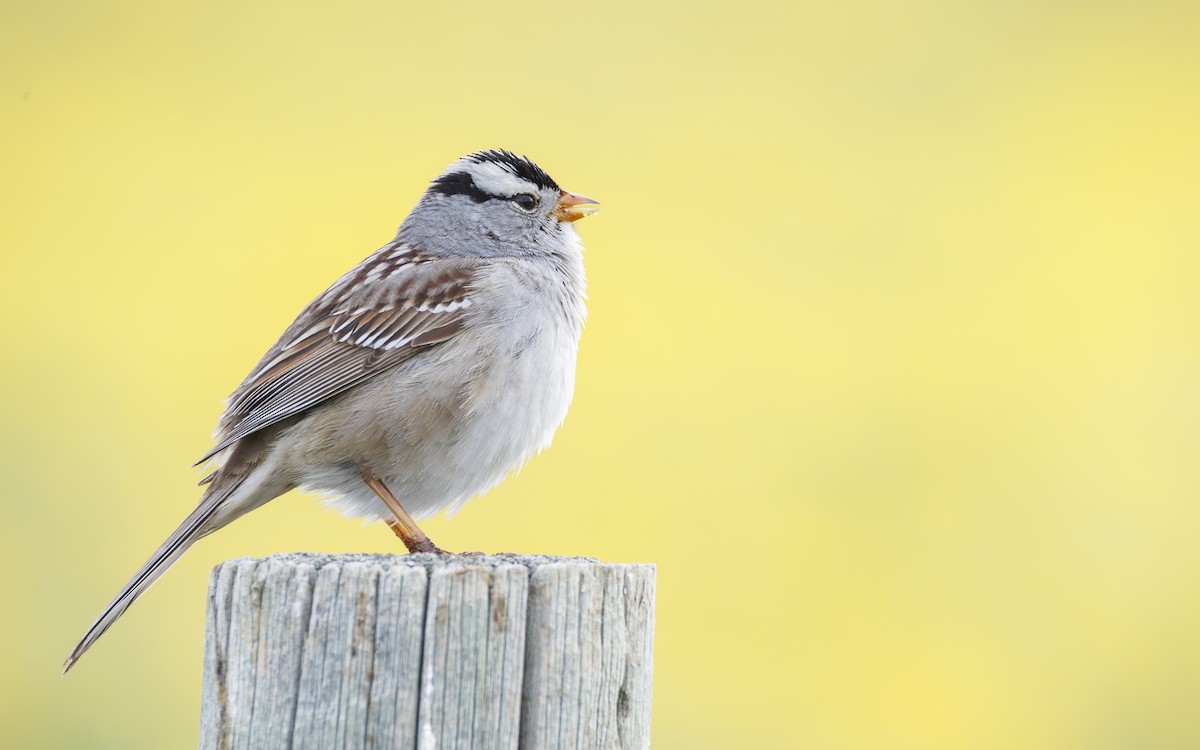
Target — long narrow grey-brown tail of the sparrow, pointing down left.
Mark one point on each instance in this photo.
(193, 529)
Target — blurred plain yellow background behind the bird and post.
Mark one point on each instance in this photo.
(892, 363)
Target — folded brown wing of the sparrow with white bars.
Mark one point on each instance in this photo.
(347, 338)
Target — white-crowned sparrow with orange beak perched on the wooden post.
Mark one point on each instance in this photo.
(419, 380)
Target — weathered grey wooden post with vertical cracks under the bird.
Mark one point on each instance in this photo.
(380, 651)
